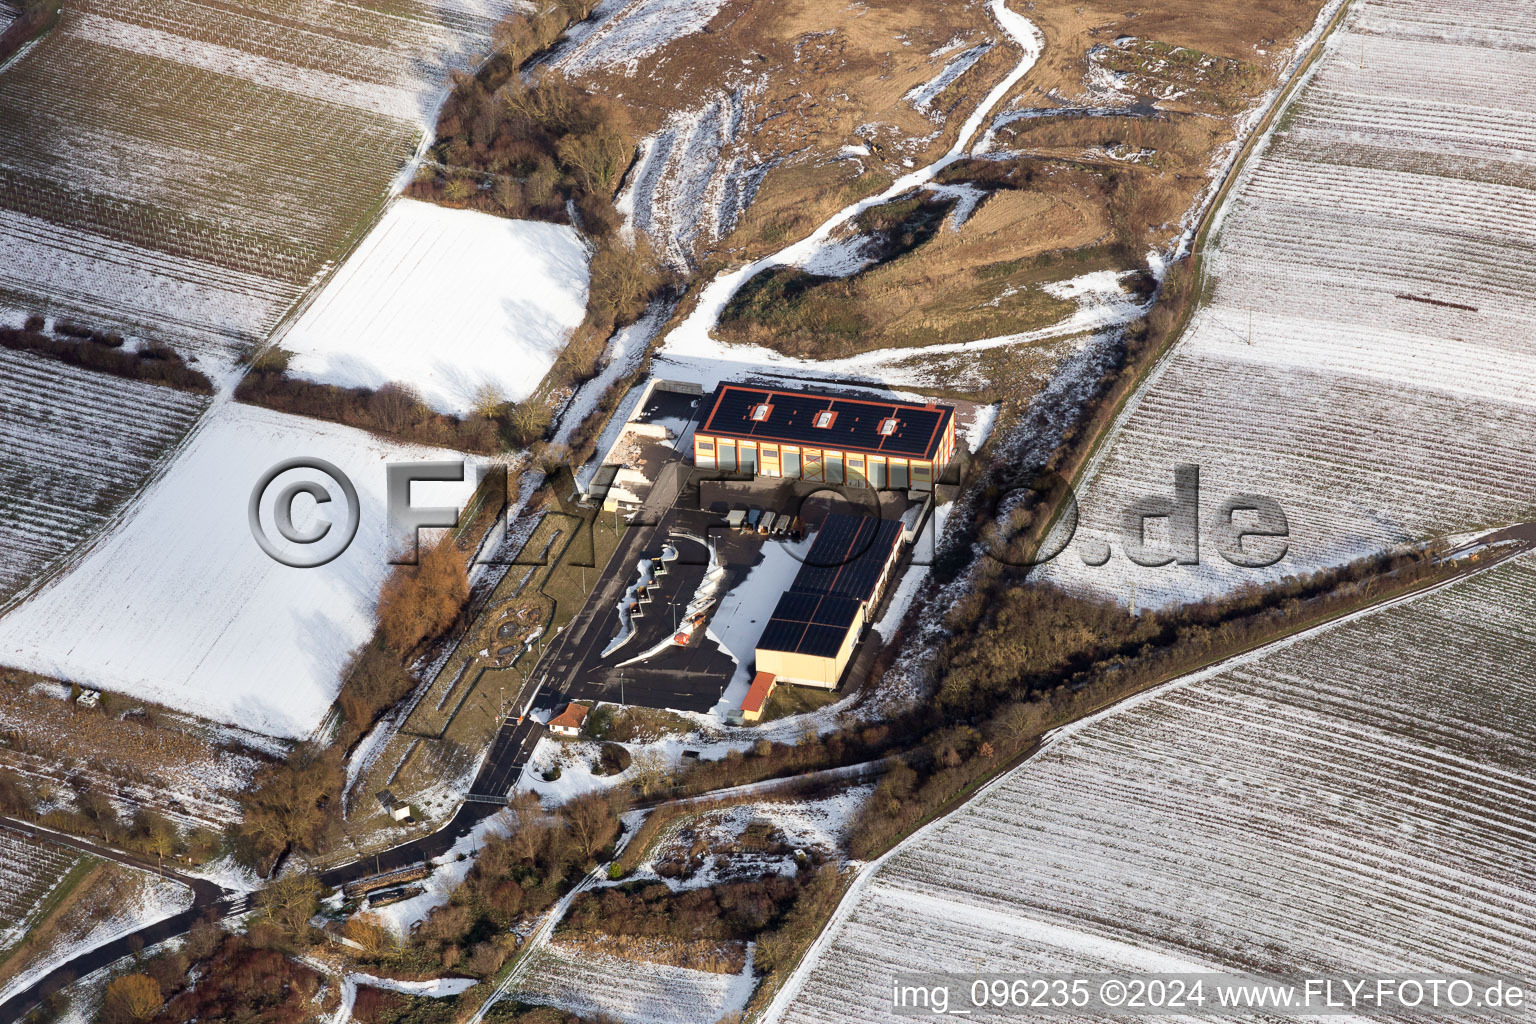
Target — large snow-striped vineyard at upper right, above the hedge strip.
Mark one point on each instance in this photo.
(1365, 355)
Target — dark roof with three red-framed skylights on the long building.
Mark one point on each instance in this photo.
(855, 424)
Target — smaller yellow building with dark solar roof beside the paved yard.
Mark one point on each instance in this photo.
(818, 623)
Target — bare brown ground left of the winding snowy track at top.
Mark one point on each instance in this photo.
(816, 78)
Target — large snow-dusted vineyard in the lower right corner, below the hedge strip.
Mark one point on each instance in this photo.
(1359, 801)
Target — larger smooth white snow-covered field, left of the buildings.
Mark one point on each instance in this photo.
(180, 606)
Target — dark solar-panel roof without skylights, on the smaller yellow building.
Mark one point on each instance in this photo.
(841, 572)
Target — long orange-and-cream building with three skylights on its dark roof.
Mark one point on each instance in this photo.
(801, 435)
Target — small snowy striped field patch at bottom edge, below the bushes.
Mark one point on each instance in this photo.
(629, 991)
